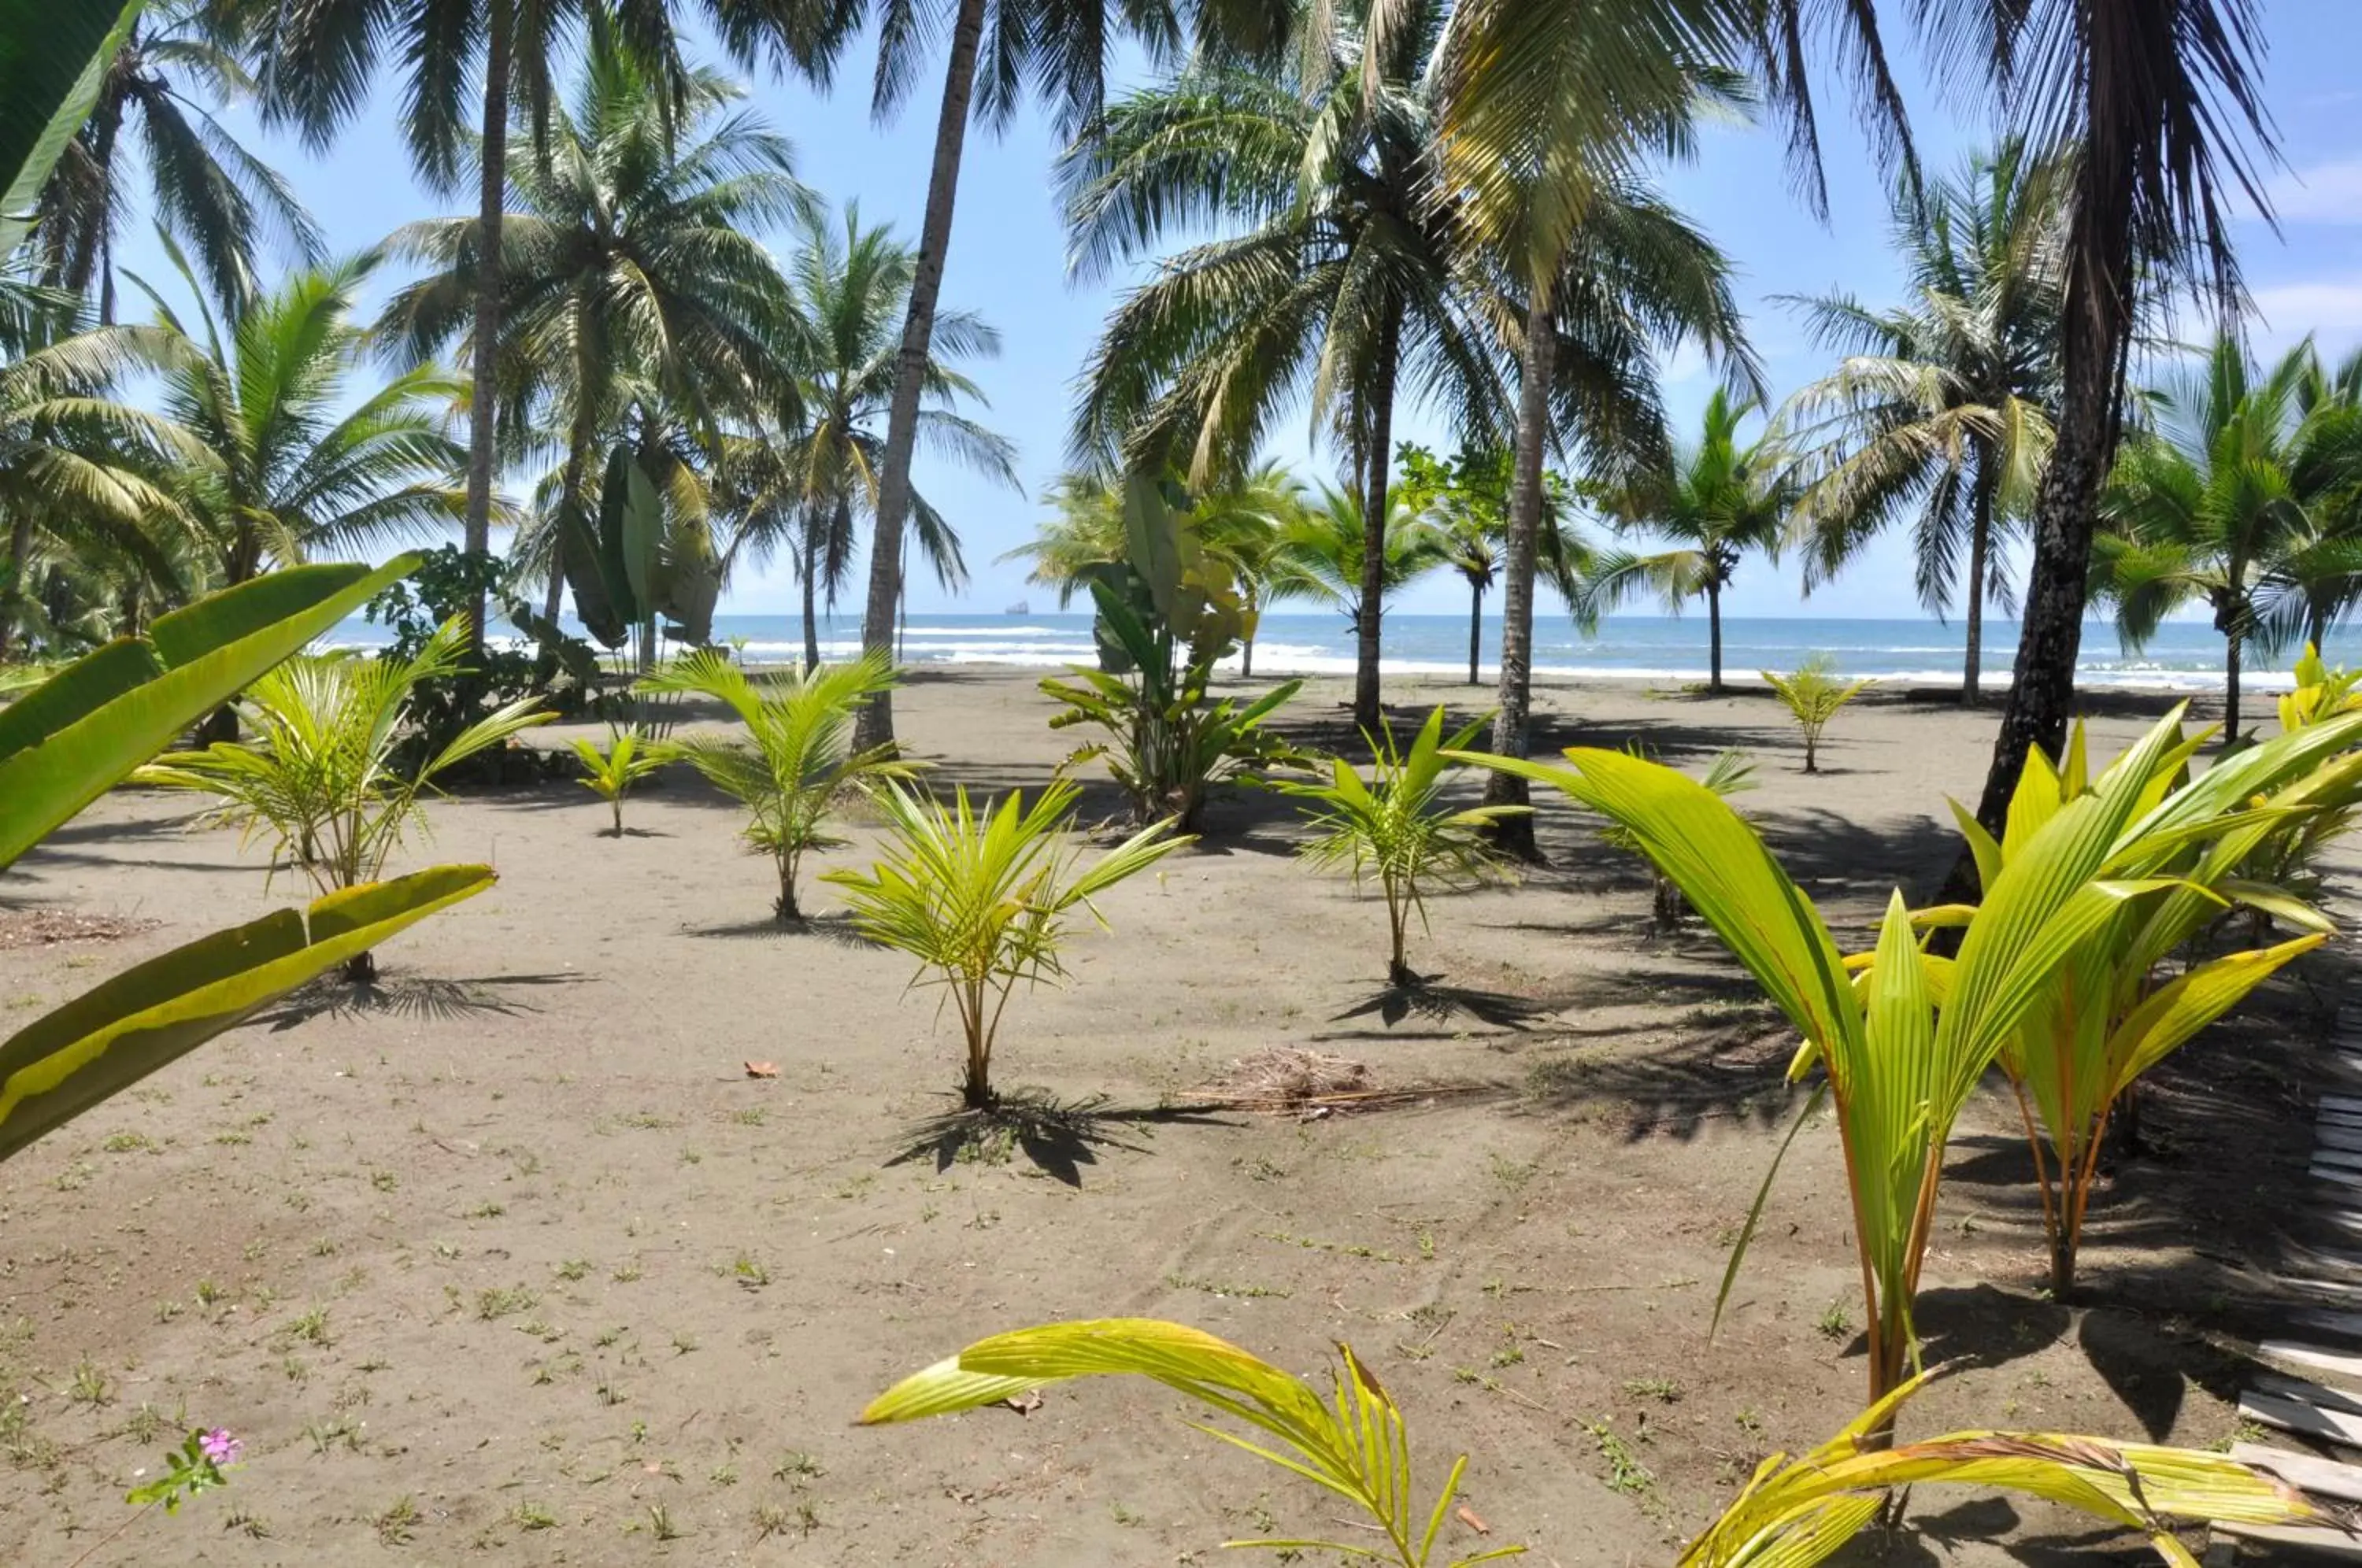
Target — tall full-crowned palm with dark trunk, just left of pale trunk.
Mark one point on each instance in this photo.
(1336, 277)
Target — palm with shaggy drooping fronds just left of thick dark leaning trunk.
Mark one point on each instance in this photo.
(1940, 410)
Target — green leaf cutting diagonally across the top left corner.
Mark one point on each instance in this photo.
(53, 58)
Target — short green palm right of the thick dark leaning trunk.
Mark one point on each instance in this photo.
(2207, 504)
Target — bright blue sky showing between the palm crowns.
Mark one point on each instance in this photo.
(1010, 263)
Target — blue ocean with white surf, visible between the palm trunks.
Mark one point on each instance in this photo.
(2181, 658)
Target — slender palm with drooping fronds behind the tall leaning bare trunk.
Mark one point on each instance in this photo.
(852, 287)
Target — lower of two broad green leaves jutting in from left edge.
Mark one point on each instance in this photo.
(157, 1012)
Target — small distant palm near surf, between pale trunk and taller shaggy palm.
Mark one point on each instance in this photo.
(1718, 502)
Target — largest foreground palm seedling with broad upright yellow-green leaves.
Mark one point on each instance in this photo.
(1900, 1069)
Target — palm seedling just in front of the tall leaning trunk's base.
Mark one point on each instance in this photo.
(797, 759)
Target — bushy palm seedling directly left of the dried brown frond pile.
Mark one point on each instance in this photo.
(981, 899)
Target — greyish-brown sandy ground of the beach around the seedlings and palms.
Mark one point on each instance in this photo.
(518, 1265)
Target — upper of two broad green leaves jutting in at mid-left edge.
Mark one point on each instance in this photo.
(86, 729)
